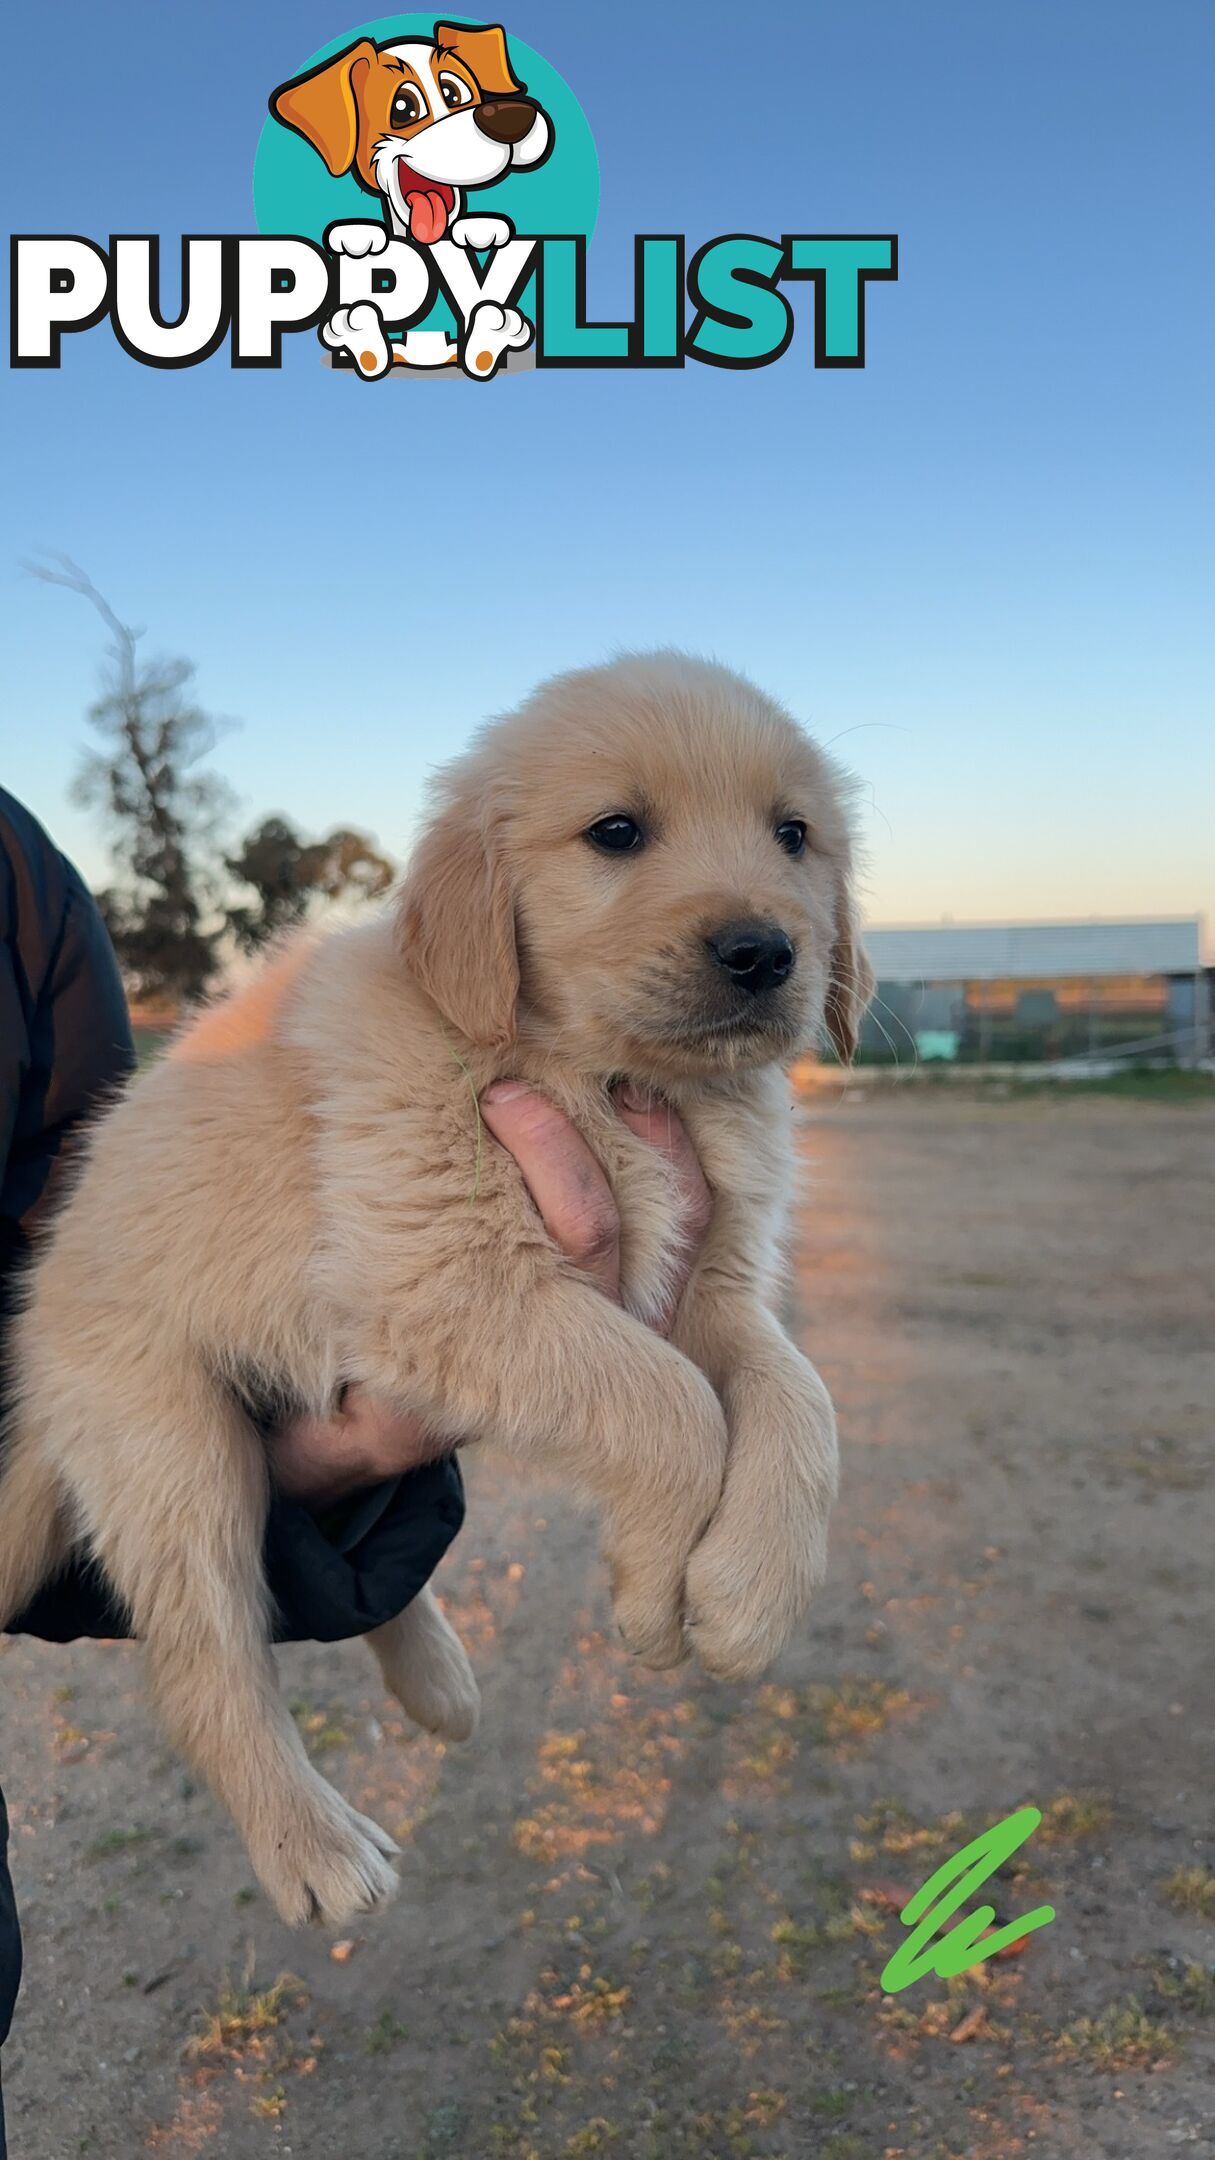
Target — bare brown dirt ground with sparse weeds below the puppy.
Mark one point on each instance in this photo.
(645, 1915)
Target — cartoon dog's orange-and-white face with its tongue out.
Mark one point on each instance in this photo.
(418, 122)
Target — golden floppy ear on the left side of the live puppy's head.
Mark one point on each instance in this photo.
(457, 926)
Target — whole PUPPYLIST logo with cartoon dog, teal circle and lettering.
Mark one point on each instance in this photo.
(425, 198)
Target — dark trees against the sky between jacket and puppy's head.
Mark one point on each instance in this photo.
(181, 902)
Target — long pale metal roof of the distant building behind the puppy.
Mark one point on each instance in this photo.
(1028, 951)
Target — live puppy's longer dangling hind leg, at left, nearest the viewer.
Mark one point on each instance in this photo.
(178, 1530)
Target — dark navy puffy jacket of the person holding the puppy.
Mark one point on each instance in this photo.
(64, 1047)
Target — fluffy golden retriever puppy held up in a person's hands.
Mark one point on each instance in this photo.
(643, 874)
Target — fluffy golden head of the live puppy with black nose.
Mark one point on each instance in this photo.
(650, 872)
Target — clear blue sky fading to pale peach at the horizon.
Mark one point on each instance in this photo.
(983, 565)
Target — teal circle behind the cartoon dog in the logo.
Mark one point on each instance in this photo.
(295, 193)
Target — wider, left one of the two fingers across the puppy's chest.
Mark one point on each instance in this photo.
(563, 1178)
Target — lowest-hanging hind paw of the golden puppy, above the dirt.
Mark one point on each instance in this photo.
(325, 1863)
